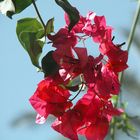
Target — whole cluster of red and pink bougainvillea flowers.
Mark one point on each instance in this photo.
(91, 115)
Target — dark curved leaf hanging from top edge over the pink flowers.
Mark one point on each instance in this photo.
(71, 11)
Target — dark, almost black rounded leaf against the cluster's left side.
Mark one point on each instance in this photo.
(49, 65)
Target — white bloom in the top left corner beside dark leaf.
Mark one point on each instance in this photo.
(7, 5)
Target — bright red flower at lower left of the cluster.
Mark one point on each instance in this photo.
(50, 98)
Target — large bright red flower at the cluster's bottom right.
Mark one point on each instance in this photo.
(96, 114)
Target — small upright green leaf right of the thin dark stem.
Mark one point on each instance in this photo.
(50, 26)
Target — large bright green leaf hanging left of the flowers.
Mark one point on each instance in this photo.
(29, 32)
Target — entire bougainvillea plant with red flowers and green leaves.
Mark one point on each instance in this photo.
(70, 72)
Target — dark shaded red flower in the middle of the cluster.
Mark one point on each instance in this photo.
(70, 65)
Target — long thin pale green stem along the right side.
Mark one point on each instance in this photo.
(129, 43)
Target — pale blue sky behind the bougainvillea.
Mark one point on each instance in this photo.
(18, 78)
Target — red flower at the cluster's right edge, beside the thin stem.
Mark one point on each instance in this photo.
(117, 58)
